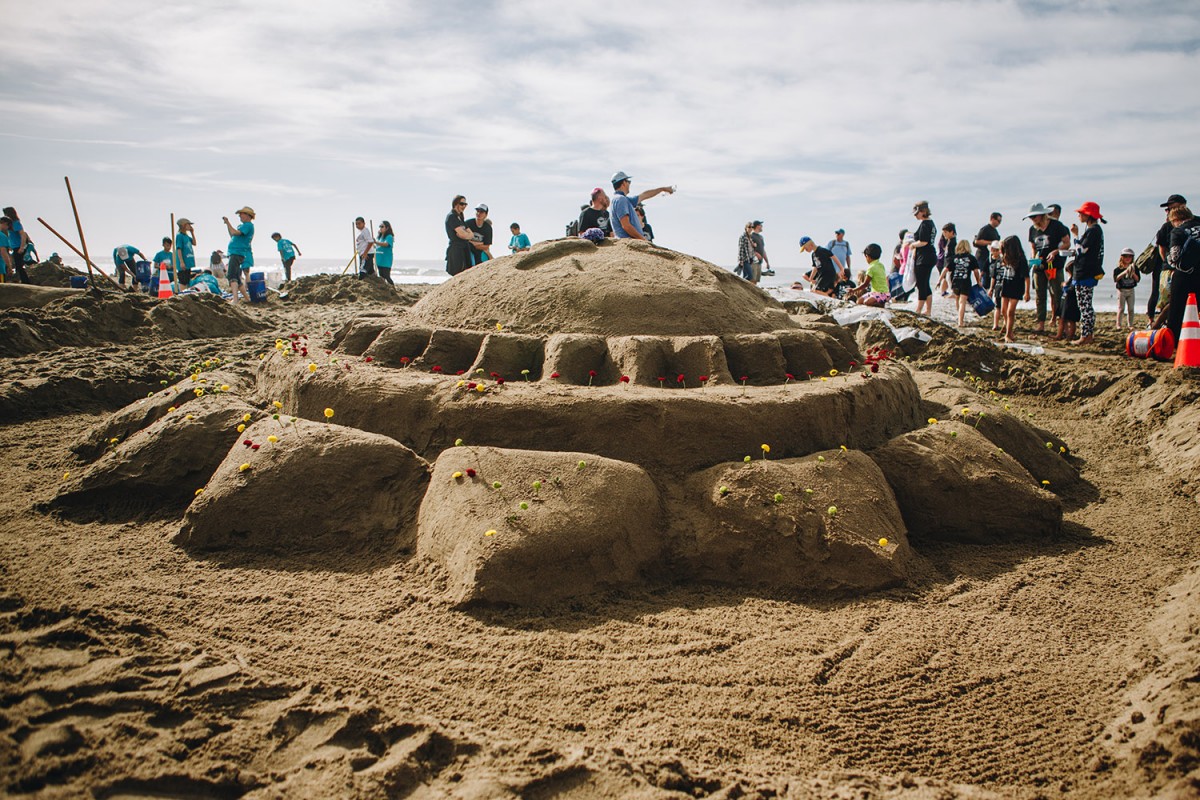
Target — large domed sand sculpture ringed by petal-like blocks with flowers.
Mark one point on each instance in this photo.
(581, 418)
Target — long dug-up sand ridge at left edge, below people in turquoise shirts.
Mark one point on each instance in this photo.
(88, 318)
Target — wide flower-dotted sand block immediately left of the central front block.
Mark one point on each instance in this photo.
(319, 488)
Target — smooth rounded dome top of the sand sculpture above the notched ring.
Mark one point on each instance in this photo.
(617, 288)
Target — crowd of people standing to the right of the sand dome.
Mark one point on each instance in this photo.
(1057, 264)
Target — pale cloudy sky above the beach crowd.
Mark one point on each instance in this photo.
(808, 116)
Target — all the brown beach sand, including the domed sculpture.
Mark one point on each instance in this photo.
(136, 664)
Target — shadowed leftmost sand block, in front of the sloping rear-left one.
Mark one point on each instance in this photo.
(163, 465)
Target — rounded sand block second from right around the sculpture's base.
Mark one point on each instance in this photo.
(955, 485)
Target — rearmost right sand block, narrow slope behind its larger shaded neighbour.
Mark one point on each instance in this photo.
(944, 396)
